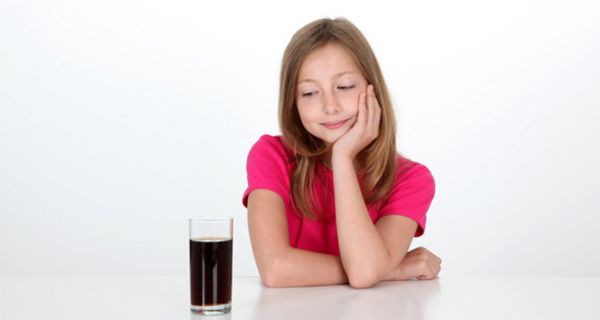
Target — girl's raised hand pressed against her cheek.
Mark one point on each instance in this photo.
(364, 130)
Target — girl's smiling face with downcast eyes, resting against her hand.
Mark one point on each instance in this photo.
(329, 84)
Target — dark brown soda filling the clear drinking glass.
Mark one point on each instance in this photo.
(210, 271)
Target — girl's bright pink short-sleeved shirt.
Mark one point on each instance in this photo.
(270, 164)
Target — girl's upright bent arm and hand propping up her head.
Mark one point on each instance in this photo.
(368, 252)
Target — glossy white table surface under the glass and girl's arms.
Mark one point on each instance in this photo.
(168, 298)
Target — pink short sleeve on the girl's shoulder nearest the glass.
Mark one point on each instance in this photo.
(267, 168)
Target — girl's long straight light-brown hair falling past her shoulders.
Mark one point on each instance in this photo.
(376, 163)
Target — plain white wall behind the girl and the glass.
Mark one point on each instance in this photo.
(121, 119)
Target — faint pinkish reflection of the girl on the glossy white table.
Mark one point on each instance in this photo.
(388, 299)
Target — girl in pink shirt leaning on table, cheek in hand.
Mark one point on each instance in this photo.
(331, 201)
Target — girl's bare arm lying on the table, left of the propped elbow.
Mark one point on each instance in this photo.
(279, 264)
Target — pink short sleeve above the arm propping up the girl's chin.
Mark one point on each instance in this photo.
(411, 196)
